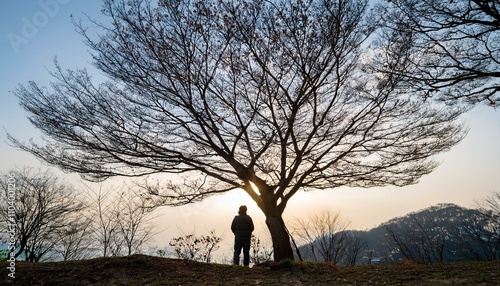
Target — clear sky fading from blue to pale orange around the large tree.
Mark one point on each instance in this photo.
(34, 32)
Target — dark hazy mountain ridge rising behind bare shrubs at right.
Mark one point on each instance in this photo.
(440, 233)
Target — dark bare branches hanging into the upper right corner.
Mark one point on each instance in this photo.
(453, 47)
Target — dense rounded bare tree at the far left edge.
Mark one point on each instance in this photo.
(43, 206)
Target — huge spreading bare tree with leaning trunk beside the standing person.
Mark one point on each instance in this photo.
(271, 97)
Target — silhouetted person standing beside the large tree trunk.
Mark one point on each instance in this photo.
(242, 228)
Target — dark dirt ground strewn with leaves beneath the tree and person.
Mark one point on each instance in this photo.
(150, 270)
